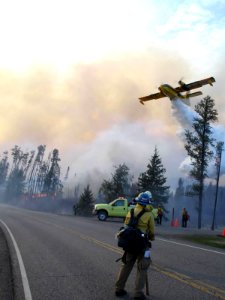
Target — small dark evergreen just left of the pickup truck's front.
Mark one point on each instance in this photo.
(86, 202)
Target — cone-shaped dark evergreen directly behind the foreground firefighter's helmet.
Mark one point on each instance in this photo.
(153, 179)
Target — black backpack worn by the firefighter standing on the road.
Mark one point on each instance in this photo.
(130, 238)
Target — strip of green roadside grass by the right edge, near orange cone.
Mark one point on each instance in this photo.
(209, 240)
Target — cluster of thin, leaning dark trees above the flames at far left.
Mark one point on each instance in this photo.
(30, 175)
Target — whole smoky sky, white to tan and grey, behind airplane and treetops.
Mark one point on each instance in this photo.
(71, 73)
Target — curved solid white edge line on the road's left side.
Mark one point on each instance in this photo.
(26, 287)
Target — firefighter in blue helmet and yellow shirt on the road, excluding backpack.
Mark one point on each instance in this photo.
(146, 225)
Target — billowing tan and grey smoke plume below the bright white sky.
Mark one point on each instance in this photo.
(93, 116)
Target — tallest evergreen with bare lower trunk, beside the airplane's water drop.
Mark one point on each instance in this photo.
(198, 145)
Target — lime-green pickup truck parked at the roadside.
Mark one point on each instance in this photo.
(118, 208)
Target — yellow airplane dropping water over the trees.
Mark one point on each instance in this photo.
(168, 91)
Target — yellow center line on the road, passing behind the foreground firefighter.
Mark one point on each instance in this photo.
(199, 285)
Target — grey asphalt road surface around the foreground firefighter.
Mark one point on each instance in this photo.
(73, 258)
